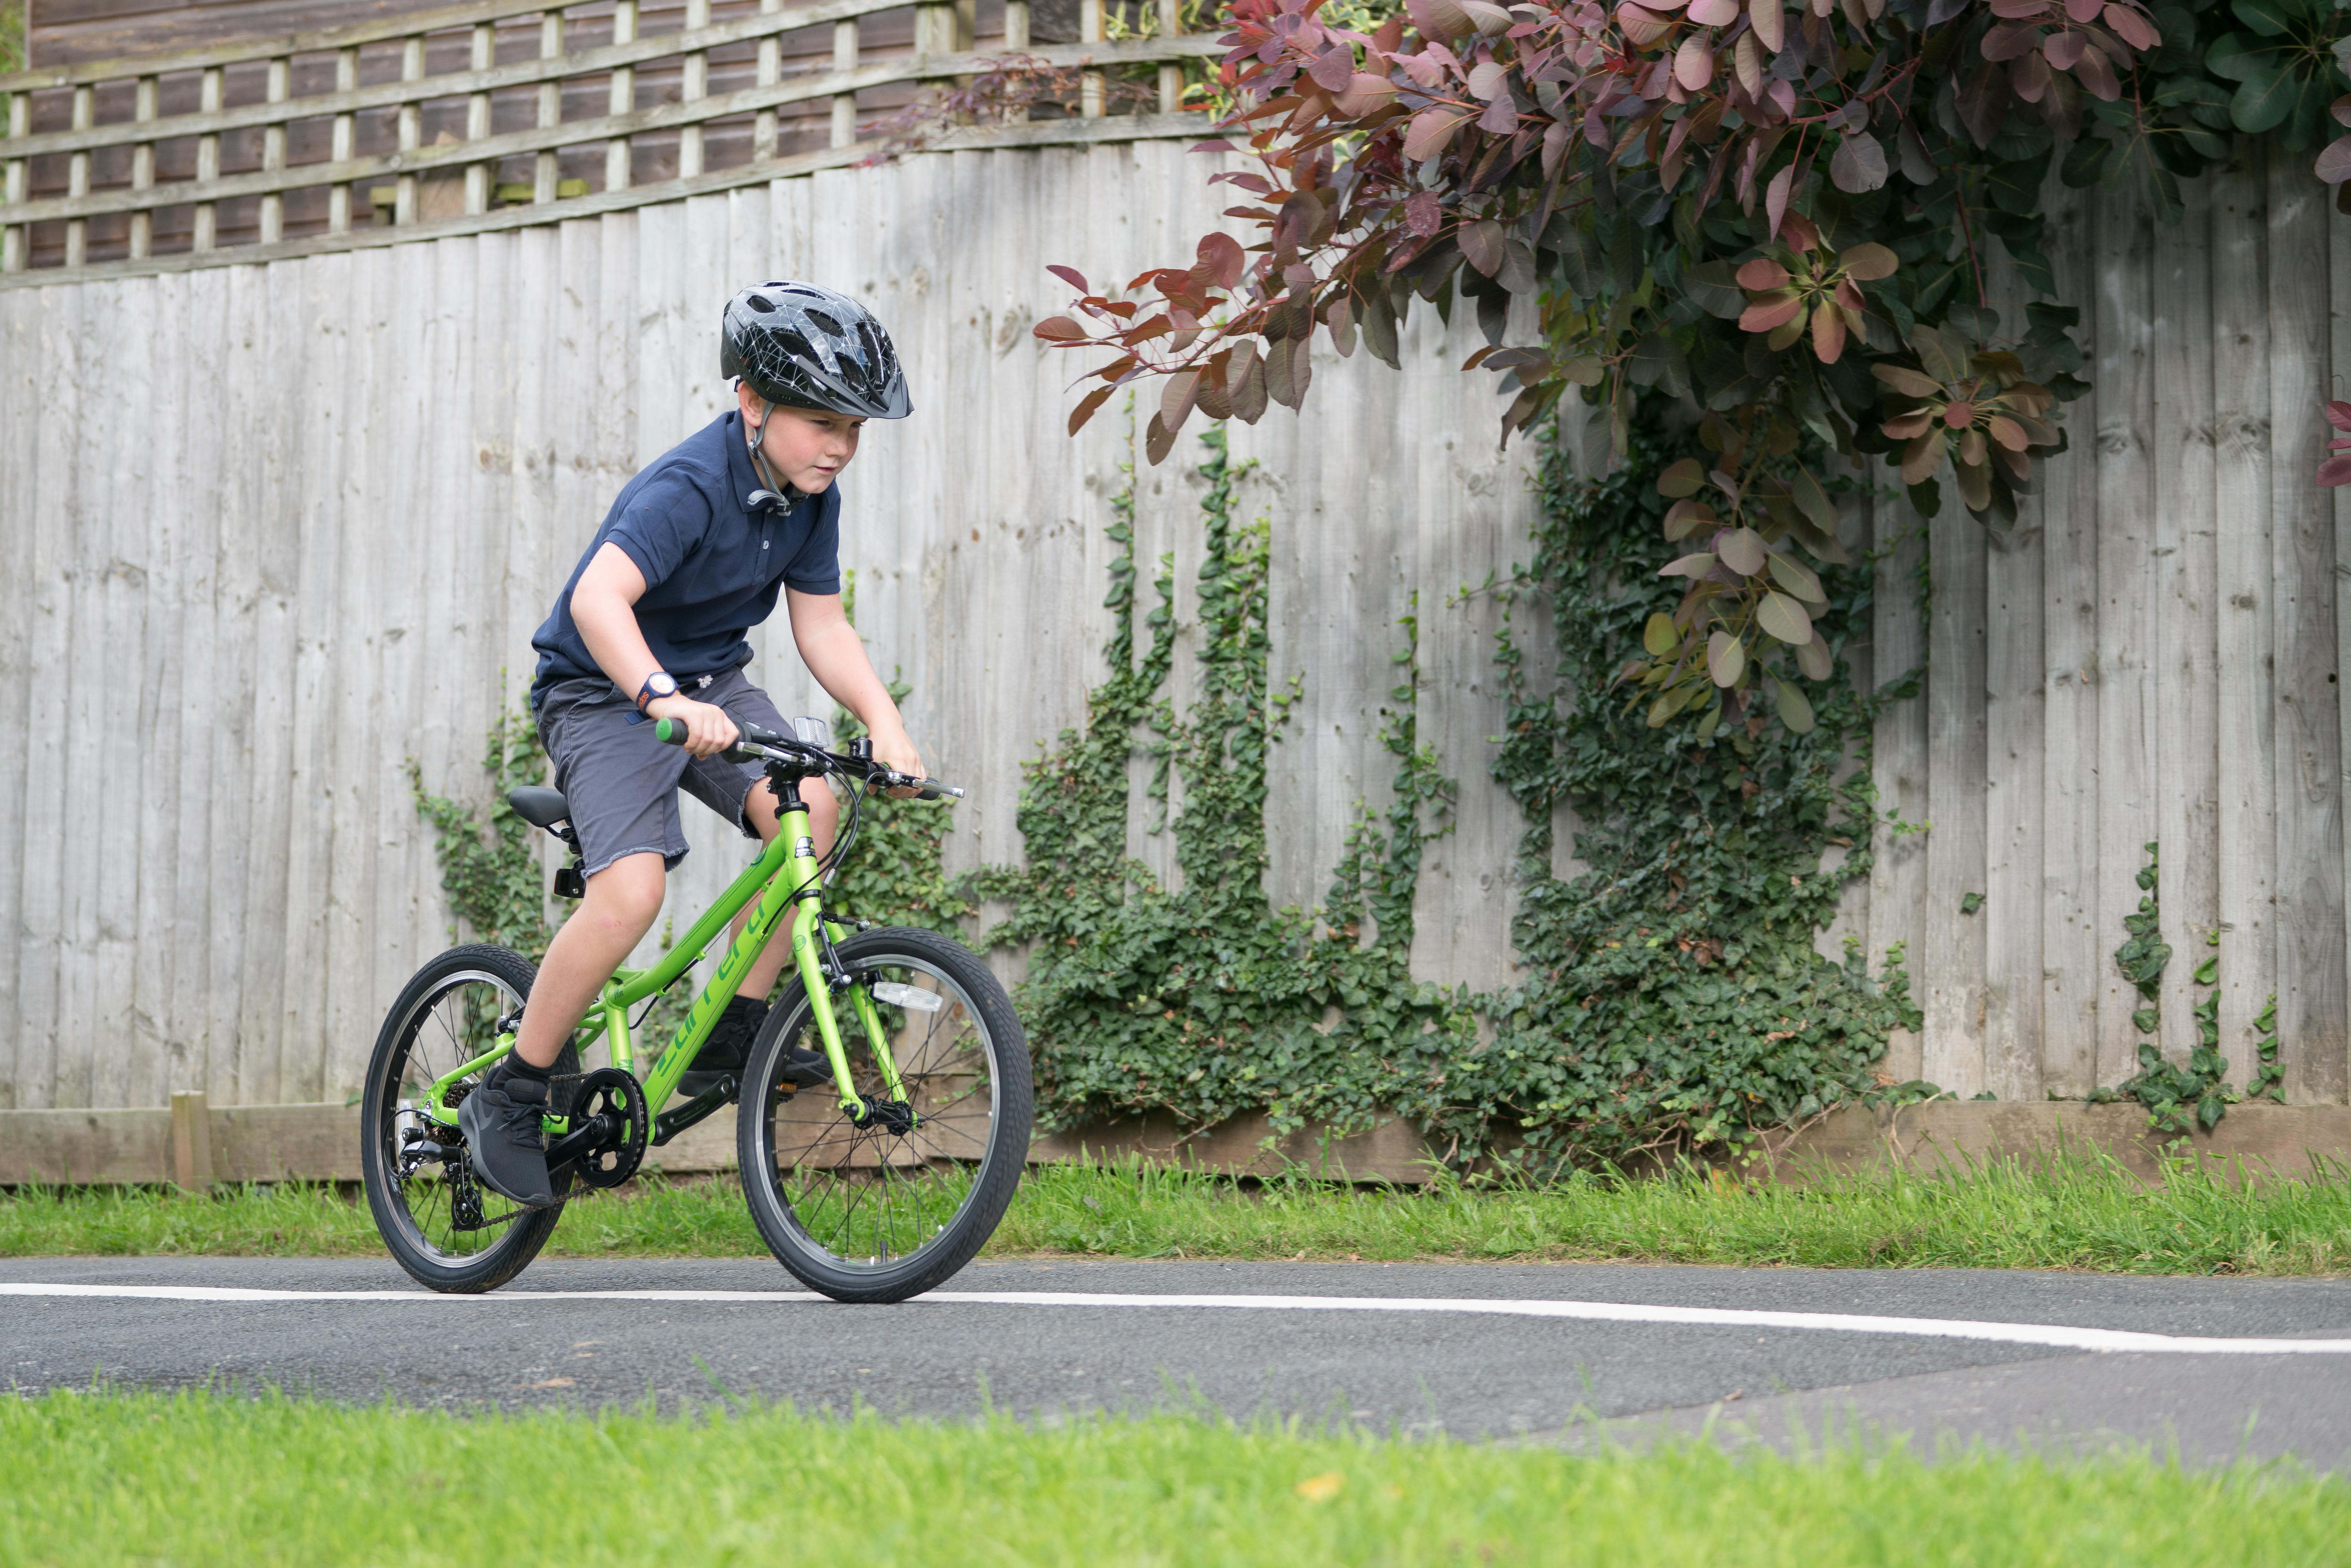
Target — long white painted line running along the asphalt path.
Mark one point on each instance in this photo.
(2056, 1336)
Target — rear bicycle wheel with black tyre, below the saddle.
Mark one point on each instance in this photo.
(401, 1064)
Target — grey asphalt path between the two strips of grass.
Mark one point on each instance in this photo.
(1435, 1365)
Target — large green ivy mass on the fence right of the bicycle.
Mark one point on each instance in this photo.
(1675, 1000)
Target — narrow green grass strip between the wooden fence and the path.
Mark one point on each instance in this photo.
(2075, 1214)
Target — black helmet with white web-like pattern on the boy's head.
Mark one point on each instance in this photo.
(812, 349)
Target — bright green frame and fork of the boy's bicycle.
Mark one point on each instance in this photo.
(784, 878)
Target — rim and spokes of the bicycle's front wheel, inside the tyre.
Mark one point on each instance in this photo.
(869, 1200)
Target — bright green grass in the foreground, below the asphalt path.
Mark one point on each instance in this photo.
(213, 1480)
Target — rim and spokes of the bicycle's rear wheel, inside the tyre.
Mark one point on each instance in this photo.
(448, 1028)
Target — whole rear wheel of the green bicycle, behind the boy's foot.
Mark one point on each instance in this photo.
(443, 1226)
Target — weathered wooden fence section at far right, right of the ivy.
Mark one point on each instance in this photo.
(2148, 659)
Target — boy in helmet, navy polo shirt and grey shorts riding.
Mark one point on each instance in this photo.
(652, 629)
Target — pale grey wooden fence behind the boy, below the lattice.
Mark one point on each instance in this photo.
(276, 530)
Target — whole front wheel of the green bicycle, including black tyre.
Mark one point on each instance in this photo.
(810, 1172)
